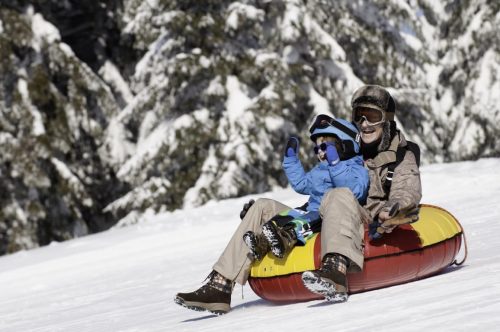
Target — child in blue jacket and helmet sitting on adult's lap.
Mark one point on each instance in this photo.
(340, 165)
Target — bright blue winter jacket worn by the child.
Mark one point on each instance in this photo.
(347, 173)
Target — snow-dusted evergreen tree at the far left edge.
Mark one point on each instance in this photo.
(54, 115)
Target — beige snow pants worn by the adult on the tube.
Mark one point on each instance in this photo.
(341, 232)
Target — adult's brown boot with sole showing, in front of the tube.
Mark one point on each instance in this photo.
(330, 280)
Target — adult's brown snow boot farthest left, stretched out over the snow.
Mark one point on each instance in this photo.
(214, 296)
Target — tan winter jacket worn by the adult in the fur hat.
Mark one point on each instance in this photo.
(405, 189)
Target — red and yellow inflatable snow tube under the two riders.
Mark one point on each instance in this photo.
(410, 252)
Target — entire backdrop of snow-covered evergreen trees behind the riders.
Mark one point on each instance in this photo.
(117, 108)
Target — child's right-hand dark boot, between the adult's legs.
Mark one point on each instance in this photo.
(281, 239)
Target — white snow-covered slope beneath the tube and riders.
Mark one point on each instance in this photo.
(125, 279)
